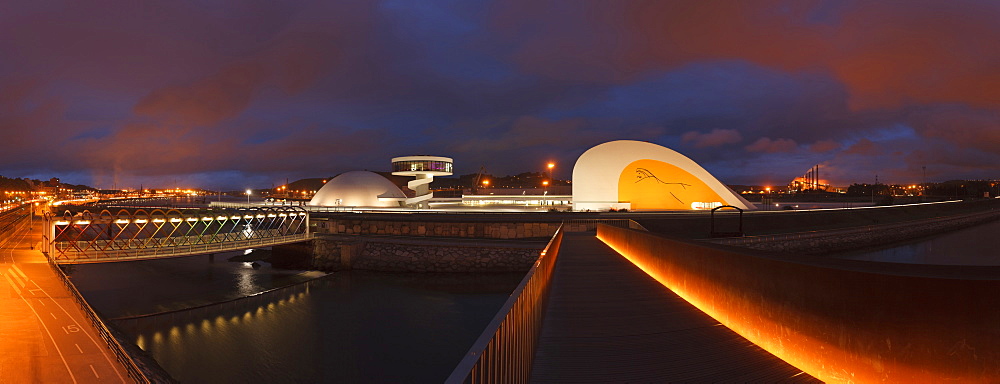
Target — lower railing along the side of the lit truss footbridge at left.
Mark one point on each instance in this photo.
(68, 256)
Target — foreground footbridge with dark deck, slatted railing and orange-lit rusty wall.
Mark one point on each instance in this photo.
(627, 305)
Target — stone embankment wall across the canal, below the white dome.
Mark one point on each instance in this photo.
(334, 253)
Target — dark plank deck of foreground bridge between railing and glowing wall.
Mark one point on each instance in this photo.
(608, 321)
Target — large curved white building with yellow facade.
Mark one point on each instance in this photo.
(638, 175)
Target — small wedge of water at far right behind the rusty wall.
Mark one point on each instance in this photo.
(970, 246)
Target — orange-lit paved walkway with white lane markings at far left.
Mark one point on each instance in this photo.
(44, 336)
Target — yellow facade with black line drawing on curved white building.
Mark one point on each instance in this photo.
(656, 185)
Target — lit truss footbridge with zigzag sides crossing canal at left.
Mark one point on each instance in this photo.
(140, 234)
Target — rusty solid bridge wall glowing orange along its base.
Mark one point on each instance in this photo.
(838, 320)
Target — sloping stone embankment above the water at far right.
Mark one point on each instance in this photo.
(826, 242)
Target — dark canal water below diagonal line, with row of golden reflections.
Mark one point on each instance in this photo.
(349, 327)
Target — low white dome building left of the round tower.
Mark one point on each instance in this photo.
(359, 189)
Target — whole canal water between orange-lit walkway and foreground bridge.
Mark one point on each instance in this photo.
(346, 327)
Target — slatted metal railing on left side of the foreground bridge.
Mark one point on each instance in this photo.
(505, 350)
